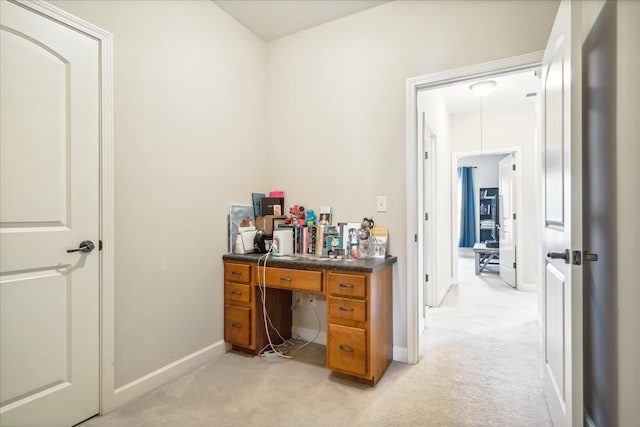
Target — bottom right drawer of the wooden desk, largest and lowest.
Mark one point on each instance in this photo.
(347, 349)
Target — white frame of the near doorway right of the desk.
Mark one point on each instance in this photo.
(414, 236)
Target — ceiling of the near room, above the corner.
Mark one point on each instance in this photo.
(272, 19)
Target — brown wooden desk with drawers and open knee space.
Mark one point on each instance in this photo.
(359, 307)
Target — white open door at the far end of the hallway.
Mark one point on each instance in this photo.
(507, 228)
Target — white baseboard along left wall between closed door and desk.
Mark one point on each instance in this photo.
(167, 373)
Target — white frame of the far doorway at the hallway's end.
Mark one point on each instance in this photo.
(519, 210)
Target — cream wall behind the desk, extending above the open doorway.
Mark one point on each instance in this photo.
(337, 91)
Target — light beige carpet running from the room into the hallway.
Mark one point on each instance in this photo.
(482, 367)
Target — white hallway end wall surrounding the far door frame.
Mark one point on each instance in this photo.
(505, 129)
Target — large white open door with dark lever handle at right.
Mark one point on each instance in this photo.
(562, 293)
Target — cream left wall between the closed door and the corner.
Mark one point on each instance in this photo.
(189, 110)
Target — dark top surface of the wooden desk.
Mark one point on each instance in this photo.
(368, 265)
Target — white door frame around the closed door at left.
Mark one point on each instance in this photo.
(107, 211)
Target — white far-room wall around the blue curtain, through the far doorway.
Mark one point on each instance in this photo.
(485, 175)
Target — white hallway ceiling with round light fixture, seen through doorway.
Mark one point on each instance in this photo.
(510, 91)
